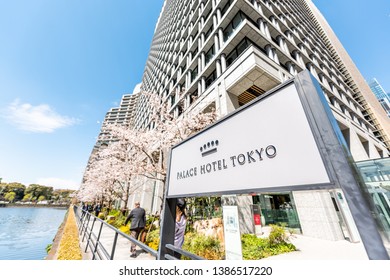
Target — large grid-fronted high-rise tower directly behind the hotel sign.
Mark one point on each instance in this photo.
(221, 54)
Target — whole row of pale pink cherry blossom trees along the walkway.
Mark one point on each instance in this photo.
(139, 151)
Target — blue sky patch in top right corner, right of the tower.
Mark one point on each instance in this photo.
(363, 27)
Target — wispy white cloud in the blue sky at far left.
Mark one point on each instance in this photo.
(40, 118)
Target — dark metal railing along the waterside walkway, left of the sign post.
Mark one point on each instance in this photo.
(91, 229)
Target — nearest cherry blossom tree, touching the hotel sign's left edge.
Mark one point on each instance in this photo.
(151, 145)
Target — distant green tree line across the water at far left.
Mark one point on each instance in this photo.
(17, 192)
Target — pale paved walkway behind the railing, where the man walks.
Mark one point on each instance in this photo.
(107, 236)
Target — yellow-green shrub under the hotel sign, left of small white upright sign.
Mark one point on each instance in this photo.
(204, 246)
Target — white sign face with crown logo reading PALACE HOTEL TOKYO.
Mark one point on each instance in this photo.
(268, 145)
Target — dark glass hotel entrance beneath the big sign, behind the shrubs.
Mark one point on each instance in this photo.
(278, 208)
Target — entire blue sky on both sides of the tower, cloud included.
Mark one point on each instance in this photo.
(65, 63)
